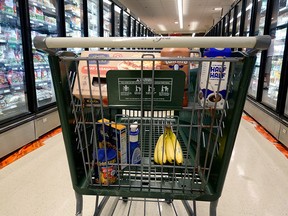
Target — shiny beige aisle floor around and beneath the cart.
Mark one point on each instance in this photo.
(256, 184)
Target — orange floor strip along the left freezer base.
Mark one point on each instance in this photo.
(27, 148)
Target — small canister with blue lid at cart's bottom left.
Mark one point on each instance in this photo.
(105, 171)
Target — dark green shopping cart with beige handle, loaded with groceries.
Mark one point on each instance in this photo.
(97, 118)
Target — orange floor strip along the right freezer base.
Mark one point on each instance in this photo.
(282, 148)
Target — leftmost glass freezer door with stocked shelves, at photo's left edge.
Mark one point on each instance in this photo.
(13, 98)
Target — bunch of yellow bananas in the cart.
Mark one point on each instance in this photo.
(168, 148)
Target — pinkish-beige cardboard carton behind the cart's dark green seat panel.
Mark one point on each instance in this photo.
(97, 79)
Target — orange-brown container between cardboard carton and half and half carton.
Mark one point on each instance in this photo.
(177, 53)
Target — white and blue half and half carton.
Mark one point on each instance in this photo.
(214, 79)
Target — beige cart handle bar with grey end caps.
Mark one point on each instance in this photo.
(257, 42)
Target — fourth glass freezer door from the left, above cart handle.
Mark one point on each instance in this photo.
(93, 18)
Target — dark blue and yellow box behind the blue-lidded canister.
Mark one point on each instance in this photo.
(113, 135)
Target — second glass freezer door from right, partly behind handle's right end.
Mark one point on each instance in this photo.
(259, 30)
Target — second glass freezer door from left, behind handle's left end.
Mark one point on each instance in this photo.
(43, 23)
